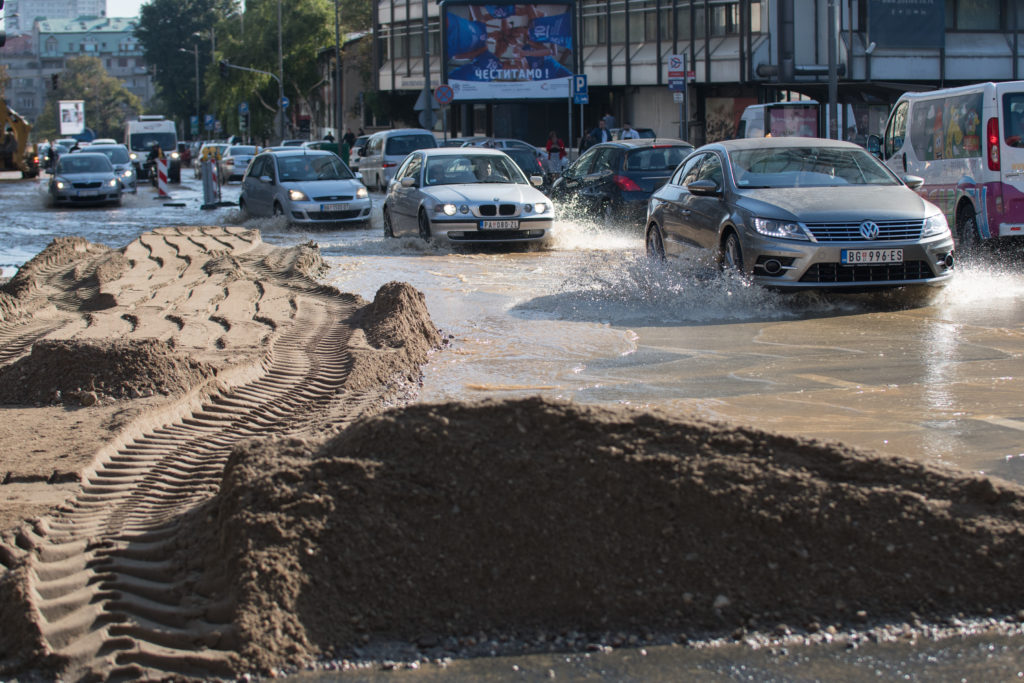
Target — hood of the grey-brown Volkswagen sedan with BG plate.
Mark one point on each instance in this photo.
(837, 204)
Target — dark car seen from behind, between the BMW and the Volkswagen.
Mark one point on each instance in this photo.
(616, 180)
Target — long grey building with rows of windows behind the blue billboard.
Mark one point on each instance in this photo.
(738, 53)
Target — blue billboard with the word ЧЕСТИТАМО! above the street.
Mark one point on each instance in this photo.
(508, 52)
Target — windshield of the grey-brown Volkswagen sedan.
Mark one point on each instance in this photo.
(807, 167)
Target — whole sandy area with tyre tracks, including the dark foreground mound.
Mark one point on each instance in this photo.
(211, 466)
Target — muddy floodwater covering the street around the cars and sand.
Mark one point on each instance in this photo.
(593, 321)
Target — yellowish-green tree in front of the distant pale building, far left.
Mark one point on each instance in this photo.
(108, 102)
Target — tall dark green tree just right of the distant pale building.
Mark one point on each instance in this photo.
(165, 29)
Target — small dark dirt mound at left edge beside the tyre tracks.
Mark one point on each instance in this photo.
(71, 370)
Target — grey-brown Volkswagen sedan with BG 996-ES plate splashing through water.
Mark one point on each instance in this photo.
(801, 214)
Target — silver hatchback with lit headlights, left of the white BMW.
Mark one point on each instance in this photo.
(307, 186)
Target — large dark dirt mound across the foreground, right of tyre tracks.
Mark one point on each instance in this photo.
(526, 517)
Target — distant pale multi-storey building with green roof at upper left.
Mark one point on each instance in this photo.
(34, 59)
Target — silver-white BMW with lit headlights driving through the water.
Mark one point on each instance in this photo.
(466, 195)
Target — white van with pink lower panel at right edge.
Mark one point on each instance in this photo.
(968, 145)
